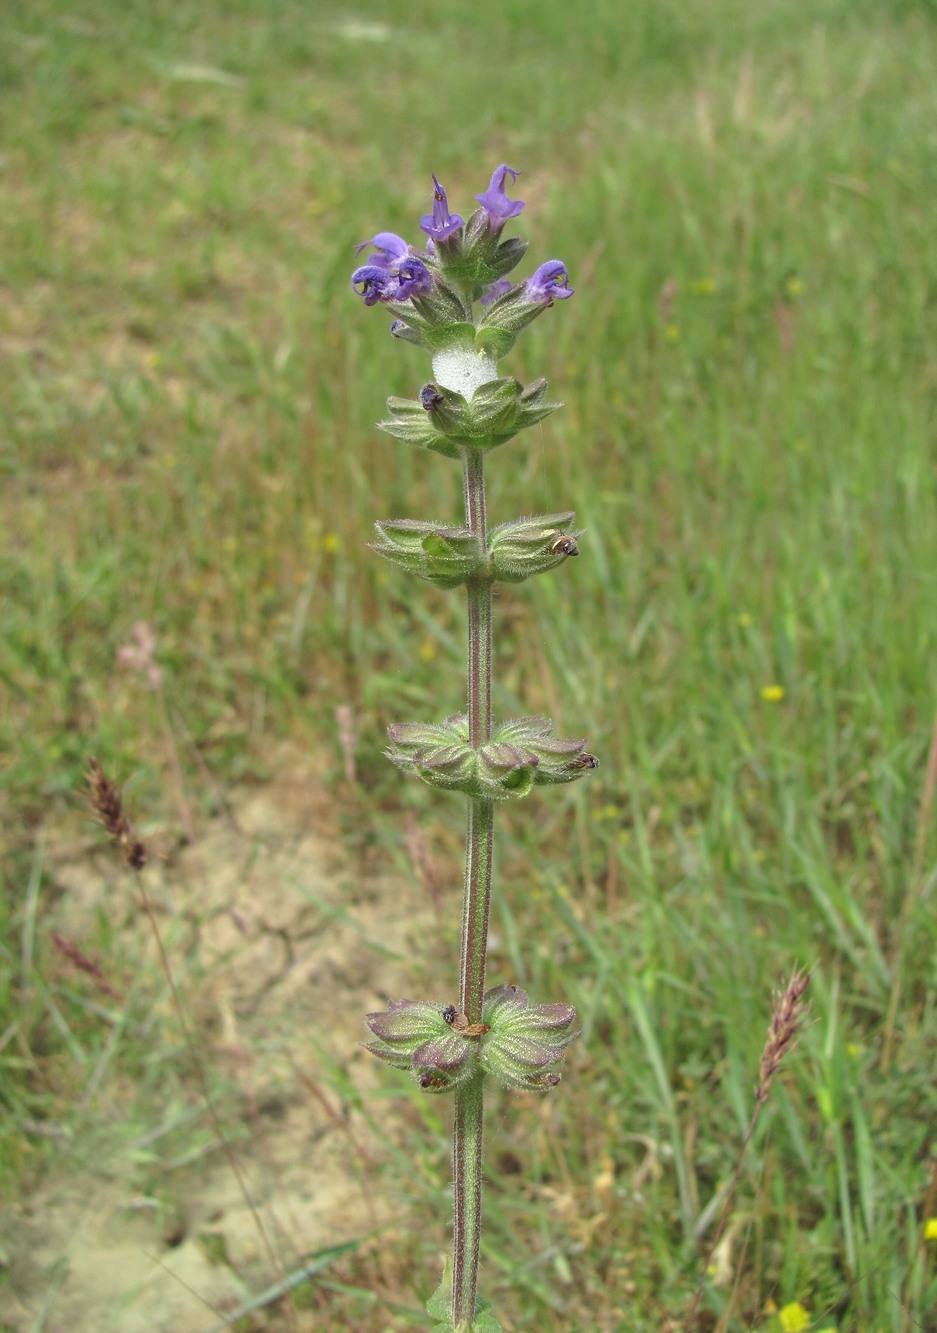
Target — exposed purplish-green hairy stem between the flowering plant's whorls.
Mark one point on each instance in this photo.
(467, 1135)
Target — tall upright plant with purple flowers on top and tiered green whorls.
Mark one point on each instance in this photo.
(455, 301)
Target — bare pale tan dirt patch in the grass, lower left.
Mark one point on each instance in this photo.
(283, 947)
